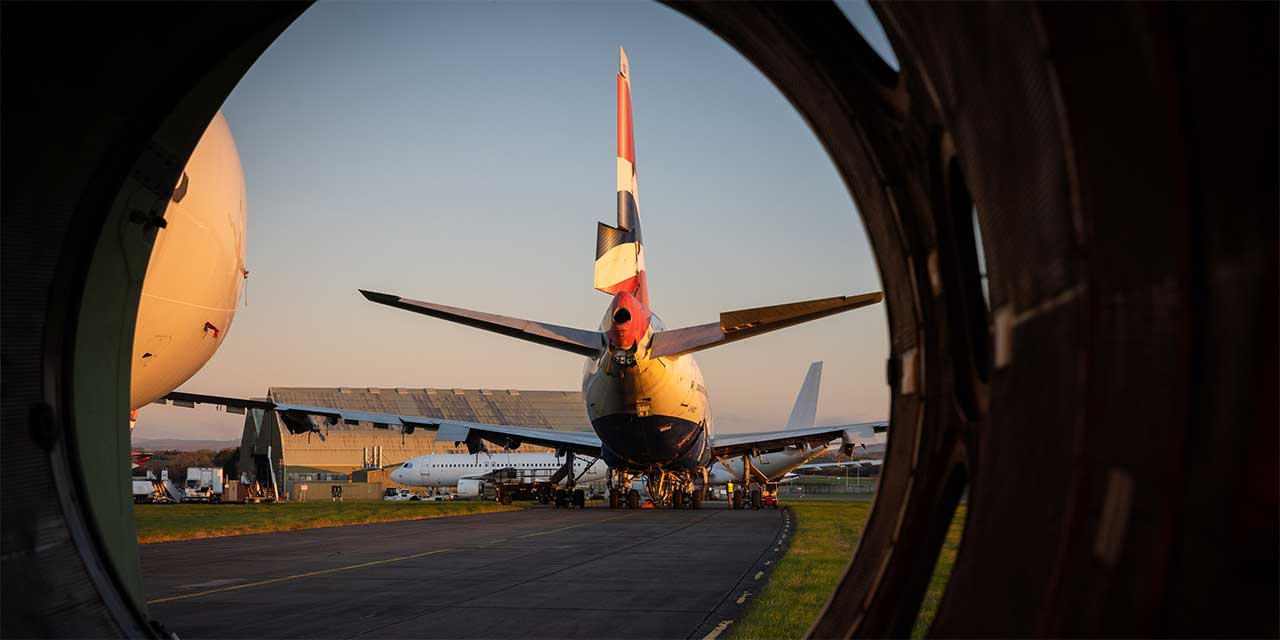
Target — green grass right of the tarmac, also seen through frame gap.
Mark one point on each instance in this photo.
(826, 534)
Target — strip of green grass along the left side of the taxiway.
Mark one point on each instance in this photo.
(168, 523)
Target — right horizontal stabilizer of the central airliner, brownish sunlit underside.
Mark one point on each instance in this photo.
(737, 326)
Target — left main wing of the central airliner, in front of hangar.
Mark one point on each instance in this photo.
(300, 419)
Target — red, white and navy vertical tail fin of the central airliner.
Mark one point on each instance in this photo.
(619, 250)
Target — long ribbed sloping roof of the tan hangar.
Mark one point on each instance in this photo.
(516, 408)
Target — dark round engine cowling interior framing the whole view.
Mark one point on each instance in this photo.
(1113, 417)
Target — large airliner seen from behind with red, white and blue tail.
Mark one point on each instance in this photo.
(644, 394)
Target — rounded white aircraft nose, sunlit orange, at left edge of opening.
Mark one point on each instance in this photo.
(196, 271)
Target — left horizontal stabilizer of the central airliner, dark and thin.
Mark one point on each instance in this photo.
(577, 341)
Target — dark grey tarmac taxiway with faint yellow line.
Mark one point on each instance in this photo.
(541, 573)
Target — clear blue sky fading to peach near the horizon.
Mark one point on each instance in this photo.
(463, 153)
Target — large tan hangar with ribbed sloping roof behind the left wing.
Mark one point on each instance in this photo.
(272, 455)
